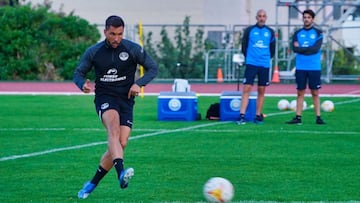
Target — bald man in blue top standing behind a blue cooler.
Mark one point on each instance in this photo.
(258, 47)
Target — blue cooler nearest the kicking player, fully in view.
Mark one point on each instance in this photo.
(177, 106)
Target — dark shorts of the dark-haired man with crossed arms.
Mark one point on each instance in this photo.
(312, 77)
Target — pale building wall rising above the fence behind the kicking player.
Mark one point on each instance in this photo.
(227, 12)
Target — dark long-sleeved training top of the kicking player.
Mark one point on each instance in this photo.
(115, 67)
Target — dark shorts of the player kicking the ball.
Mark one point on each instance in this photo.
(123, 106)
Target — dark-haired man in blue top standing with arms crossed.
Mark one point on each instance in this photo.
(306, 44)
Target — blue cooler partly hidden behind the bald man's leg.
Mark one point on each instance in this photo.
(230, 103)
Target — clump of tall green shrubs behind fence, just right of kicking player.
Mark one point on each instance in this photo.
(182, 57)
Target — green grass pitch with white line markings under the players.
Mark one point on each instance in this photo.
(51, 145)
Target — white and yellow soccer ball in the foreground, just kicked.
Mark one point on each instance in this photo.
(218, 190)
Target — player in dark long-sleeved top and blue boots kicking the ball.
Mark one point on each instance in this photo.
(115, 62)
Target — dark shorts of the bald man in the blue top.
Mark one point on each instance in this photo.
(252, 71)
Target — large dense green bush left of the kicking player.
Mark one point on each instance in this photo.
(36, 44)
